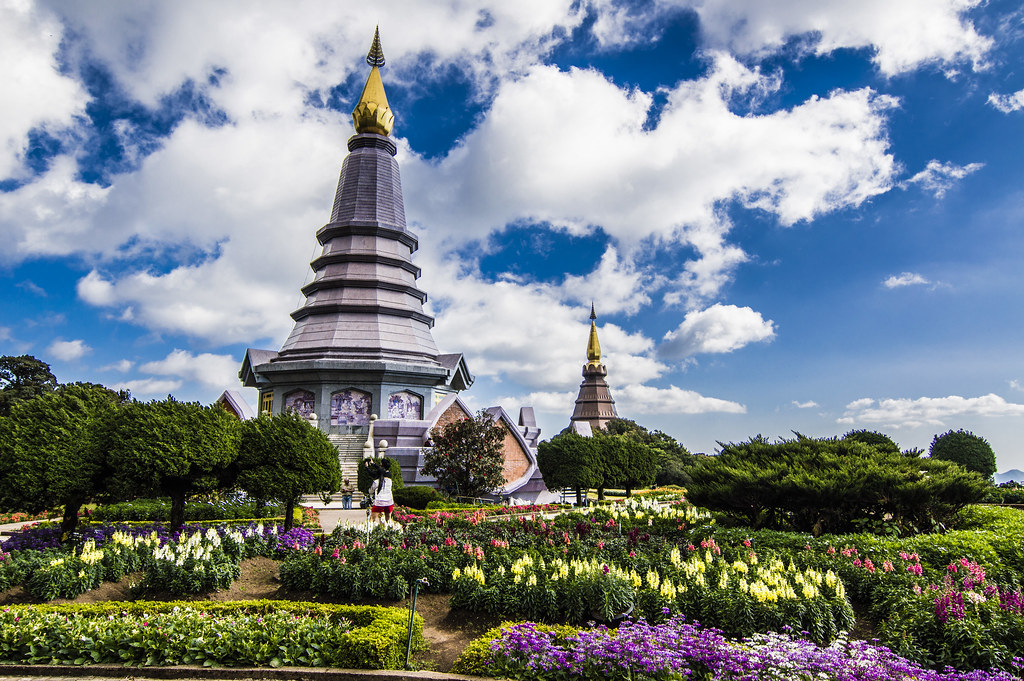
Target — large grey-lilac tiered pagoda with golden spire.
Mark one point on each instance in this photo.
(362, 344)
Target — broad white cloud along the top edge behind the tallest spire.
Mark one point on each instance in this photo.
(316, 46)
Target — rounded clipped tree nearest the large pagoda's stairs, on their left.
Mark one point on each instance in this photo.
(283, 457)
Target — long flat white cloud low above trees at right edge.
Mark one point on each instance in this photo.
(905, 413)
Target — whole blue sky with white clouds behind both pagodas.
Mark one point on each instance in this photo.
(802, 216)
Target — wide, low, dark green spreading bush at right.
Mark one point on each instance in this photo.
(833, 486)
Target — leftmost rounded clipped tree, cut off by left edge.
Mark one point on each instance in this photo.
(48, 454)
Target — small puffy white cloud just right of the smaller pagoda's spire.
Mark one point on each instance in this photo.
(717, 329)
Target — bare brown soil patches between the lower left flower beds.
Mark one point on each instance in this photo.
(447, 632)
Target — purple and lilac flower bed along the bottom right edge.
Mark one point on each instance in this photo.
(677, 649)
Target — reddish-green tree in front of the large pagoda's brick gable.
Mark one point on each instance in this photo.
(467, 458)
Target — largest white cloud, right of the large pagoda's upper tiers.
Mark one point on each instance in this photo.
(664, 185)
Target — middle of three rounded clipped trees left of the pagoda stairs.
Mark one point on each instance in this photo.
(168, 449)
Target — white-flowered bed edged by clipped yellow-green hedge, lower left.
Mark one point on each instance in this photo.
(237, 634)
